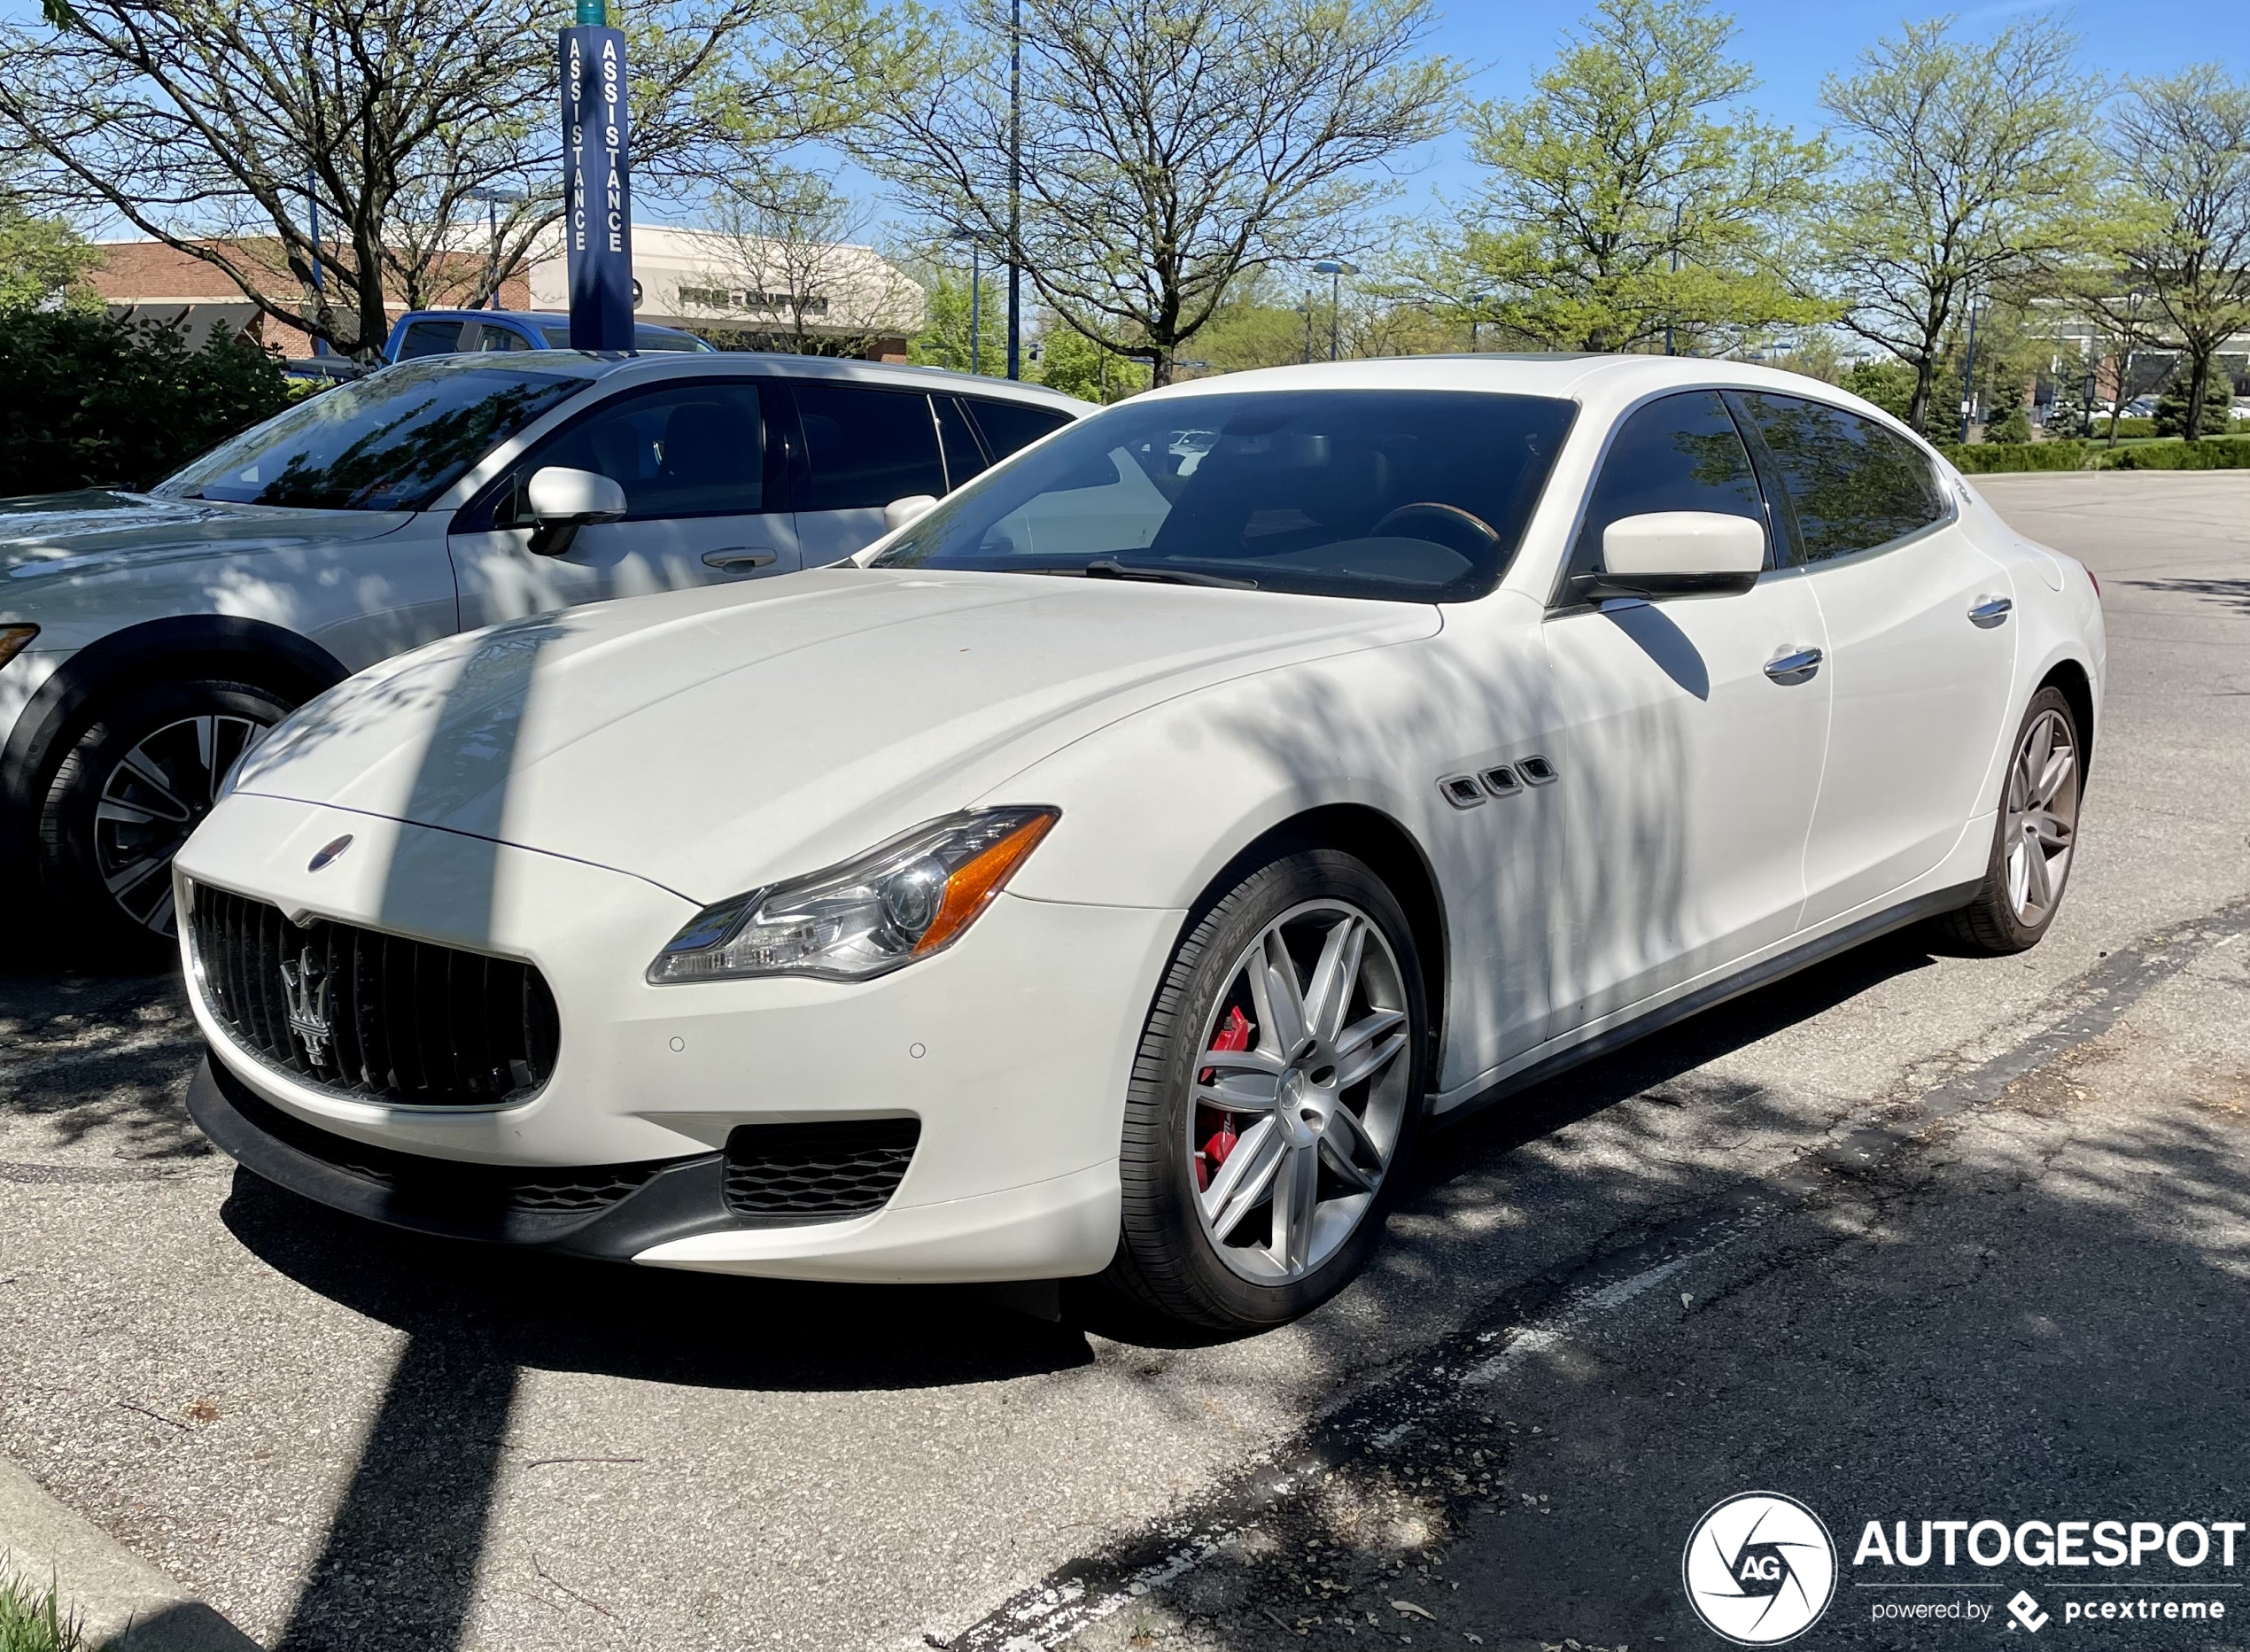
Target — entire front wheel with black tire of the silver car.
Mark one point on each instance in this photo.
(190, 730)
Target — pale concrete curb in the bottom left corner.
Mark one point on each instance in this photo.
(120, 1599)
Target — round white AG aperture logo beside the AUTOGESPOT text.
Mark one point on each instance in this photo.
(1761, 1570)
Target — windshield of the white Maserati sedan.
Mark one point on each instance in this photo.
(1394, 494)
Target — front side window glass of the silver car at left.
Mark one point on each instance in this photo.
(676, 451)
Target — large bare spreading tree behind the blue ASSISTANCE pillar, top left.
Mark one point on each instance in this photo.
(219, 125)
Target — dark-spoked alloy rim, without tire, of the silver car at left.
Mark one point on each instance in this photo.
(154, 798)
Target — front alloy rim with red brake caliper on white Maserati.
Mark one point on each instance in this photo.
(1315, 1102)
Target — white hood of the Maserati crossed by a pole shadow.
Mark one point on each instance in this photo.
(719, 739)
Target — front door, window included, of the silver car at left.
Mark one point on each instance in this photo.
(692, 460)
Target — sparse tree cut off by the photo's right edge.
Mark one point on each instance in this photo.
(2184, 240)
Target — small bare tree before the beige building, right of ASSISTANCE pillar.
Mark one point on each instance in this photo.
(786, 262)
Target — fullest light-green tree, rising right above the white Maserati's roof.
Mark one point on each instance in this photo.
(1630, 192)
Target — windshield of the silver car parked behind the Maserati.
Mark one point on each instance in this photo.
(388, 442)
